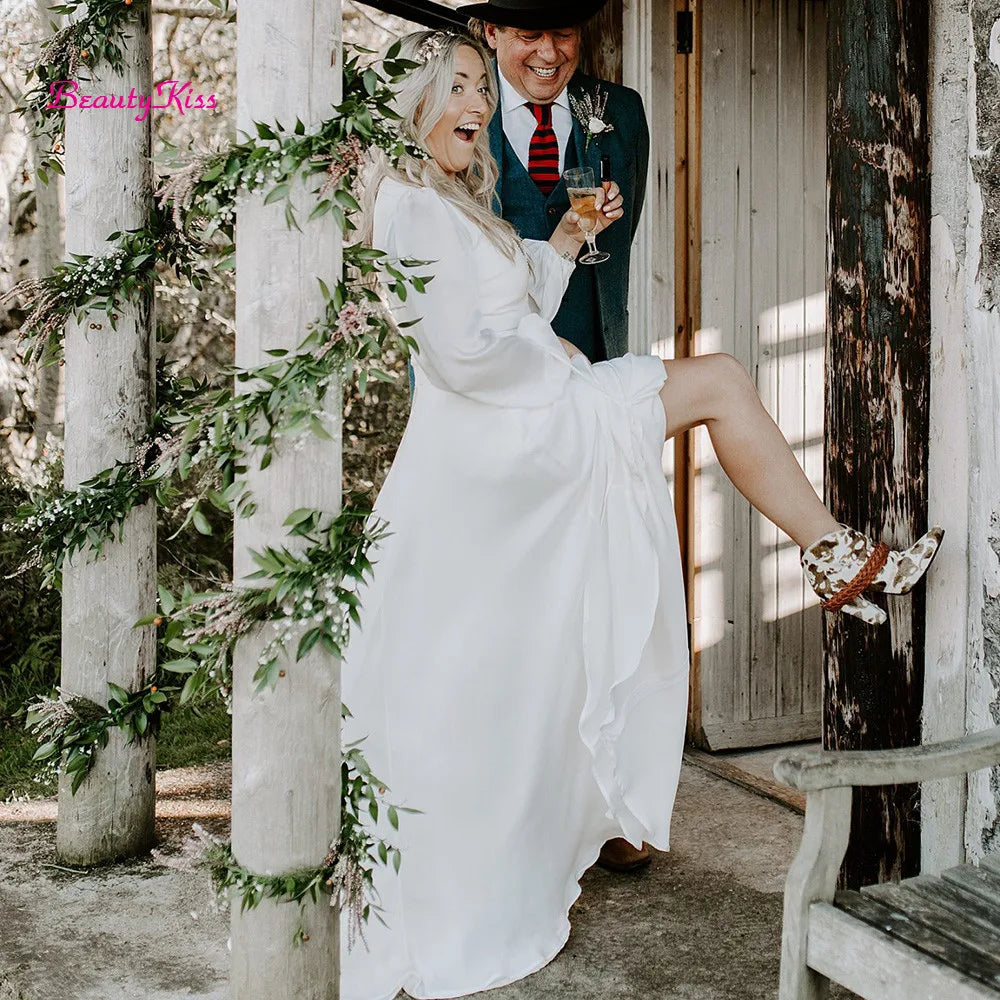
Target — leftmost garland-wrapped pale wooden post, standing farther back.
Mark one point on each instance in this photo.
(109, 401)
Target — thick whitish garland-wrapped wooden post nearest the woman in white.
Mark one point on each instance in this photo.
(286, 740)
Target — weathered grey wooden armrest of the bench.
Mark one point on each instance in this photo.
(812, 770)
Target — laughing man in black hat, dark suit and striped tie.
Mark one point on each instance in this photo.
(535, 138)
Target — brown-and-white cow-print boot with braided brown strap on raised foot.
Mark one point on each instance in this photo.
(841, 565)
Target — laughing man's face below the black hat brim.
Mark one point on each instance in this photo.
(537, 64)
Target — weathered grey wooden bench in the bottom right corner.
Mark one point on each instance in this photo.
(925, 938)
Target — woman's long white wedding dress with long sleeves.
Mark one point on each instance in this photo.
(521, 670)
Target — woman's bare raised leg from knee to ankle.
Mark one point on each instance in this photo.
(715, 390)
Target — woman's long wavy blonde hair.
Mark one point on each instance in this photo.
(420, 100)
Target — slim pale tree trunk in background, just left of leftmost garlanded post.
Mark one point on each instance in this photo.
(48, 251)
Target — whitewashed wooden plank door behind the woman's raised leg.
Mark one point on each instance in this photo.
(759, 294)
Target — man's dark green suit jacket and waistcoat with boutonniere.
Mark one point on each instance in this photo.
(594, 314)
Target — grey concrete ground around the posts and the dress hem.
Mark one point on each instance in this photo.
(702, 923)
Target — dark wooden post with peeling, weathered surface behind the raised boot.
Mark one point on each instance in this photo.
(877, 390)
